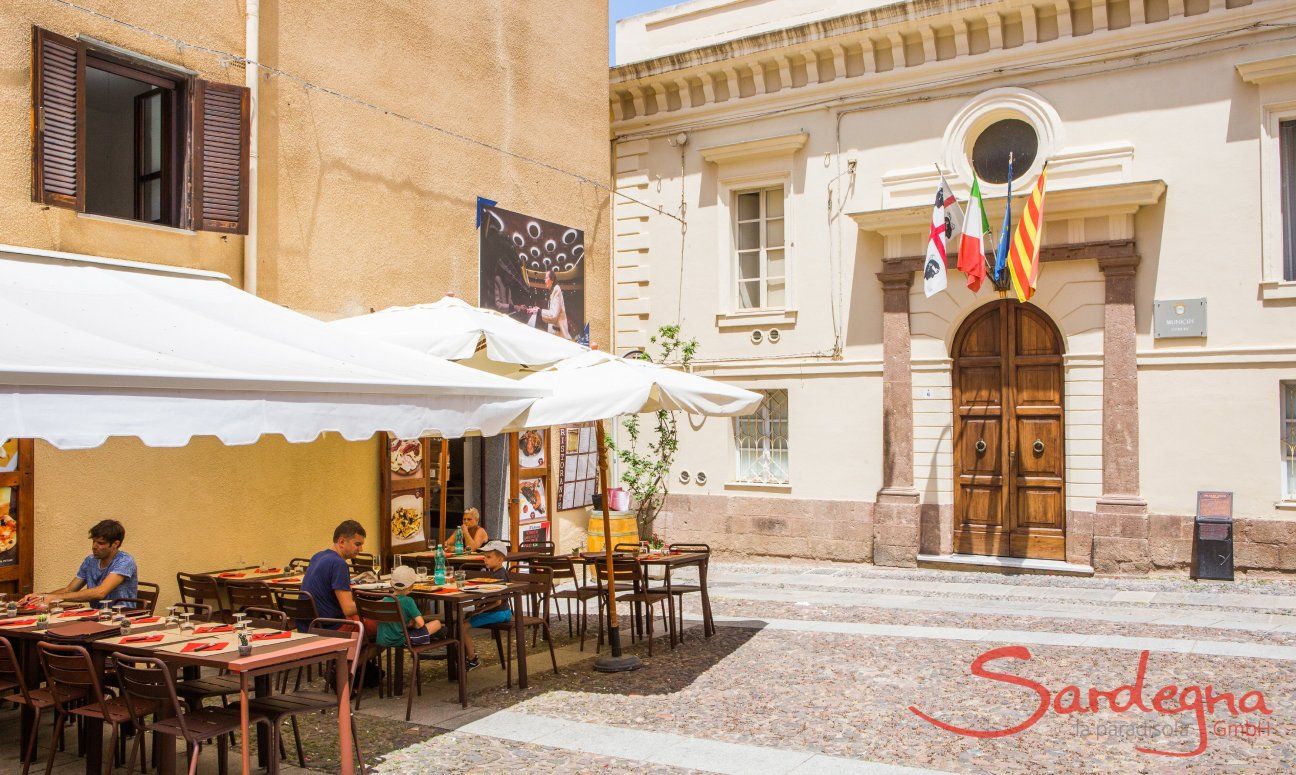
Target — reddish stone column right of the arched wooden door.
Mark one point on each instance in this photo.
(1120, 516)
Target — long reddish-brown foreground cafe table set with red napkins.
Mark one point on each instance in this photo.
(253, 673)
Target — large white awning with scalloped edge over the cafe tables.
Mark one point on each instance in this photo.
(94, 349)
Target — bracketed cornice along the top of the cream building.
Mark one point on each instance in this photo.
(853, 68)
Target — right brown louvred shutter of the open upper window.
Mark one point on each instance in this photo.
(221, 121)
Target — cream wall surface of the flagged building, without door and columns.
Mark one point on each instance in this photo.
(1209, 408)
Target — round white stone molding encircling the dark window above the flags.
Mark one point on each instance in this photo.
(987, 108)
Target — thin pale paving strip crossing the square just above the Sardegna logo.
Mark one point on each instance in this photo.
(1144, 615)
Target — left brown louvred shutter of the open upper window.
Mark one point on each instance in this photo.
(59, 120)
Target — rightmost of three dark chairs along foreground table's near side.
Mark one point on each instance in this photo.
(147, 688)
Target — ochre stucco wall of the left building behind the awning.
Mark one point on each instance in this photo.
(358, 211)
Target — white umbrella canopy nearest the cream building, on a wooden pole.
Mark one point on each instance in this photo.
(597, 387)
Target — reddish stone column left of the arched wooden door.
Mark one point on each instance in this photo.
(896, 518)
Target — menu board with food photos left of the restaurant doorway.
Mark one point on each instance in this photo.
(411, 493)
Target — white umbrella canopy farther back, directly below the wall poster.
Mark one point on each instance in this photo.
(457, 331)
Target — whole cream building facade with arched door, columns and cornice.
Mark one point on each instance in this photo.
(803, 145)
